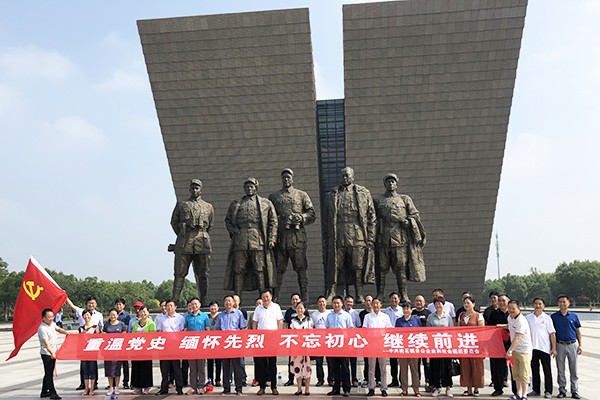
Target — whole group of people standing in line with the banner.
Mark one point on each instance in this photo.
(534, 339)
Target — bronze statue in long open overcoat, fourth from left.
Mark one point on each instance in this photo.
(349, 236)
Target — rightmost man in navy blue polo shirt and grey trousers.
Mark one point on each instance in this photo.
(568, 345)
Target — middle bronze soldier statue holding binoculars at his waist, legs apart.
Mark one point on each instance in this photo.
(294, 210)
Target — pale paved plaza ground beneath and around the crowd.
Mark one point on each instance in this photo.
(20, 378)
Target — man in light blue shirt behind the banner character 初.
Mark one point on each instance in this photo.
(339, 365)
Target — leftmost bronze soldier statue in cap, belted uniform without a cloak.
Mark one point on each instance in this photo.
(192, 220)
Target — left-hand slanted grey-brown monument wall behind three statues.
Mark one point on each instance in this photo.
(235, 97)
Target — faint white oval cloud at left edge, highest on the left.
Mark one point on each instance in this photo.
(32, 62)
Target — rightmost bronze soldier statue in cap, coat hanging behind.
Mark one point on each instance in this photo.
(400, 238)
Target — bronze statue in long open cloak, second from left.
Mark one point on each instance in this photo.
(252, 226)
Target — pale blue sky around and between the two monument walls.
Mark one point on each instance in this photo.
(84, 181)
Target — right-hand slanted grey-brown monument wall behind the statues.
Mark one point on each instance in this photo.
(429, 86)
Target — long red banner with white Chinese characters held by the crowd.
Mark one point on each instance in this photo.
(455, 342)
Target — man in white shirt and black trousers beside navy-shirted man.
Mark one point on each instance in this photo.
(543, 338)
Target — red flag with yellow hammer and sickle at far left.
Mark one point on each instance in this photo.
(38, 291)
